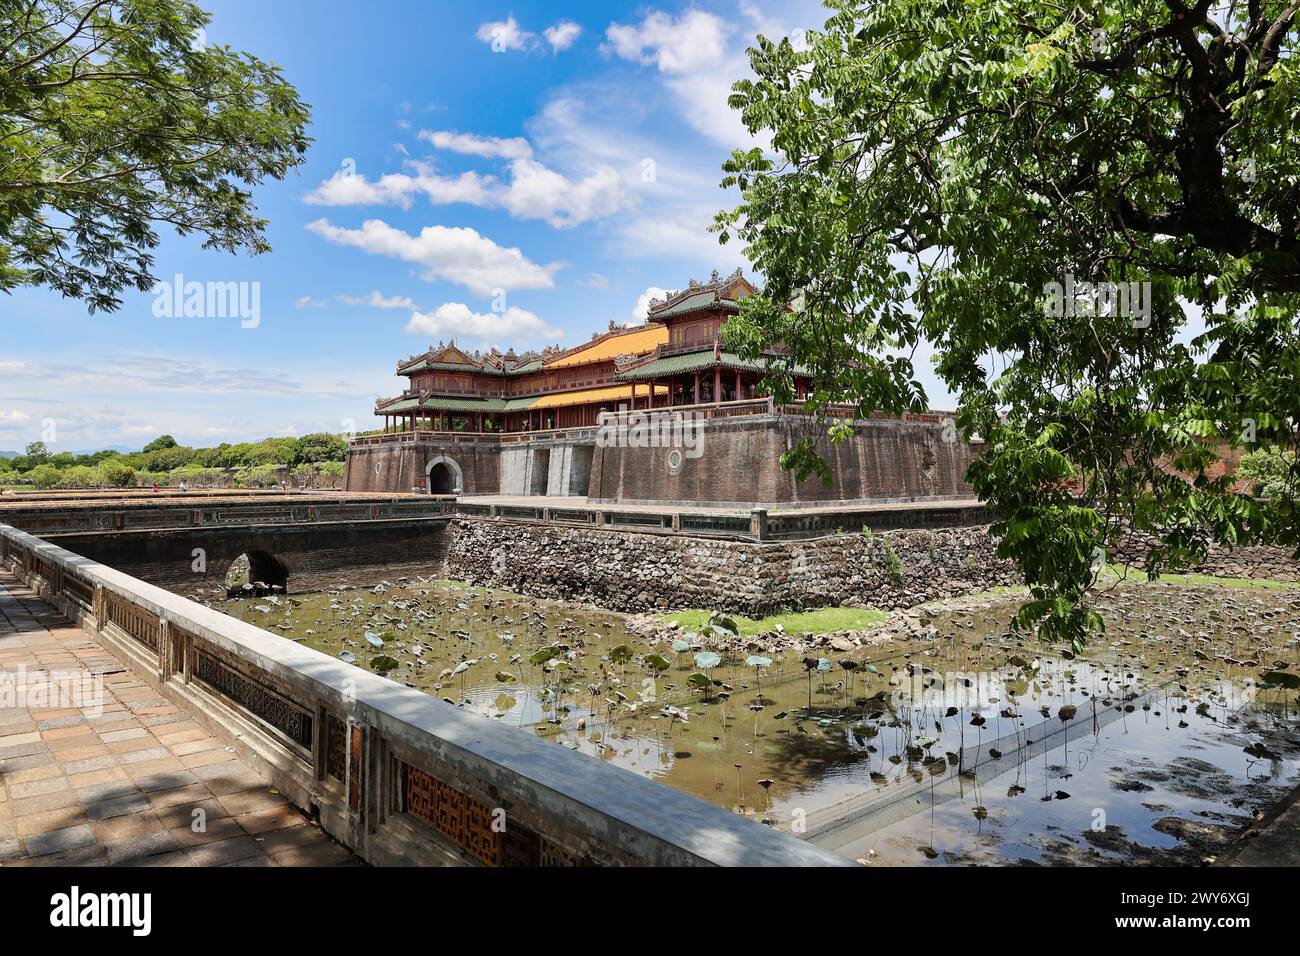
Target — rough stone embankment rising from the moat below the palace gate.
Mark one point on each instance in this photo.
(638, 573)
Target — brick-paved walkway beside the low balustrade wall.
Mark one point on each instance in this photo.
(129, 780)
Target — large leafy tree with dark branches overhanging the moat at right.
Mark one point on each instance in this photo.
(955, 174)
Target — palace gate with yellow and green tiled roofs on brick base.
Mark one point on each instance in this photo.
(660, 413)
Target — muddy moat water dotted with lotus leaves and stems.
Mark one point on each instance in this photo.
(972, 745)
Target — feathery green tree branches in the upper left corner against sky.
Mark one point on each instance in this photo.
(118, 118)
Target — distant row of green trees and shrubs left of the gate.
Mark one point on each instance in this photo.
(313, 460)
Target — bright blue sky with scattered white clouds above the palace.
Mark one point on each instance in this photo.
(557, 161)
